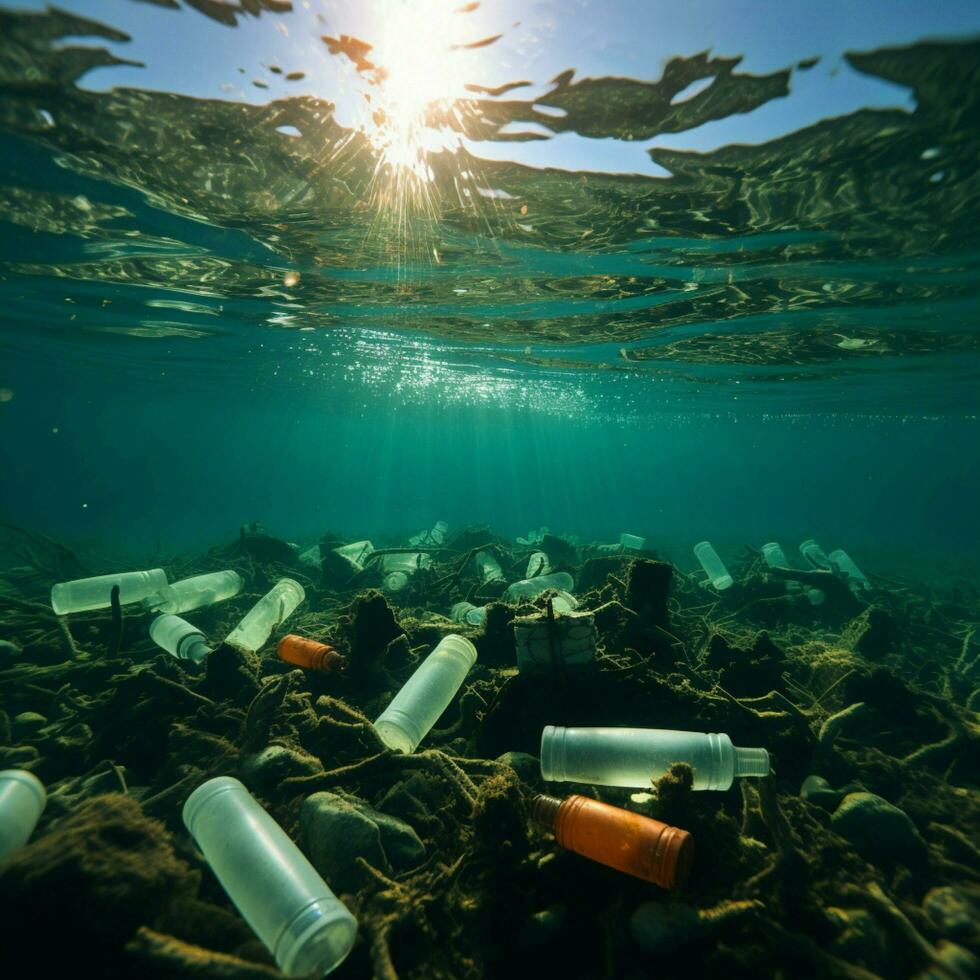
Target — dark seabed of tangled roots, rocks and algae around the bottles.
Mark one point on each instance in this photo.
(872, 870)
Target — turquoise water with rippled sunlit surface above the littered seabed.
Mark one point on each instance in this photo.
(574, 319)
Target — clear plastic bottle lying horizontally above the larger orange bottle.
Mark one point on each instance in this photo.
(634, 756)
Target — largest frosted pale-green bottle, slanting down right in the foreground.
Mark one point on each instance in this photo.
(275, 888)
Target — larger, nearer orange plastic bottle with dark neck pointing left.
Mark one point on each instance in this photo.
(623, 840)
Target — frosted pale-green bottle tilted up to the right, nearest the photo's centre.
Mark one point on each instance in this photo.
(426, 694)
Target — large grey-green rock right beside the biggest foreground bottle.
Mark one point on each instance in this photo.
(336, 830)
